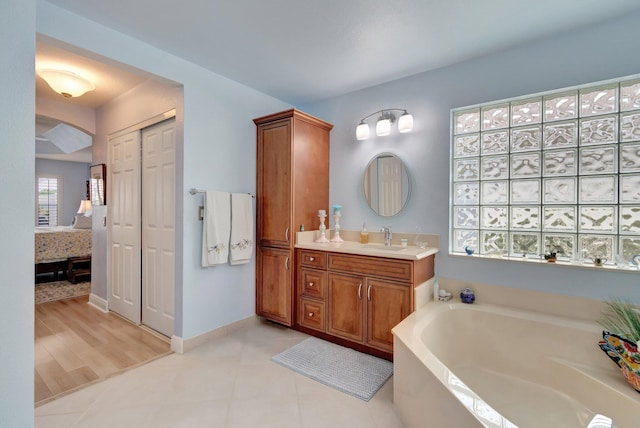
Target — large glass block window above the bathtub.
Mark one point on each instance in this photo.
(558, 171)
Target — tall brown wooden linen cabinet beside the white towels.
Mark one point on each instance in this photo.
(292, 185)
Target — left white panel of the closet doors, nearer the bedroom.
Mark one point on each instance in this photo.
(124, 226)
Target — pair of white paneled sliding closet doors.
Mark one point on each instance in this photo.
(142, 226)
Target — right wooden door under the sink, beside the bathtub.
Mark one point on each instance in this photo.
(387, 304)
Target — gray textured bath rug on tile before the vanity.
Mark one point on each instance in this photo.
(344, 369)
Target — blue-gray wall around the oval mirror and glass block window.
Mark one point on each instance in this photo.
(597, 53)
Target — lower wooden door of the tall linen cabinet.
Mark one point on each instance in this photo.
(273, 285)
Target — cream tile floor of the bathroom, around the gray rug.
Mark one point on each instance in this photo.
(228, 382)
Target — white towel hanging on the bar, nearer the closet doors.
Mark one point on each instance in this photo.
(216, 227)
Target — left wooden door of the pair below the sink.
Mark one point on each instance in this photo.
(346, 306)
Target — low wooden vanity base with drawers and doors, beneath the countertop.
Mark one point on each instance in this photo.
(357, 299)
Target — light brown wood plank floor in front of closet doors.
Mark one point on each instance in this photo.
(76, 344)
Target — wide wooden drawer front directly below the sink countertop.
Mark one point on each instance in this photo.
(372, 266)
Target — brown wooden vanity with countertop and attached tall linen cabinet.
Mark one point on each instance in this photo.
(345, 293)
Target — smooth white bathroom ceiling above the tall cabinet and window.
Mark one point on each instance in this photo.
(302, 51)
